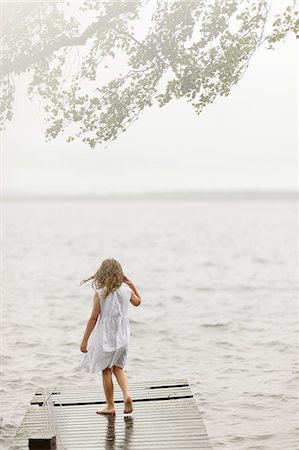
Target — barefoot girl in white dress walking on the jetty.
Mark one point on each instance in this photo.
(106, 337)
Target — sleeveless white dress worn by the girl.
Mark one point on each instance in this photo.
(107, 345)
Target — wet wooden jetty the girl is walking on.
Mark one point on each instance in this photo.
(165, 417)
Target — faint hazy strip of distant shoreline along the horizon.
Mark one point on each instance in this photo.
(157, 196)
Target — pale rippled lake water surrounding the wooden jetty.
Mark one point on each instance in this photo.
(218, 283)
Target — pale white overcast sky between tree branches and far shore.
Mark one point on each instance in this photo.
(244, 141)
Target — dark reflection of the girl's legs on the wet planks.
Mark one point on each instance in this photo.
(111, 433)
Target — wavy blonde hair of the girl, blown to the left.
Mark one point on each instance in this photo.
(109, 276)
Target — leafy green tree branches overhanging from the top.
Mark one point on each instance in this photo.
(97, 68)
